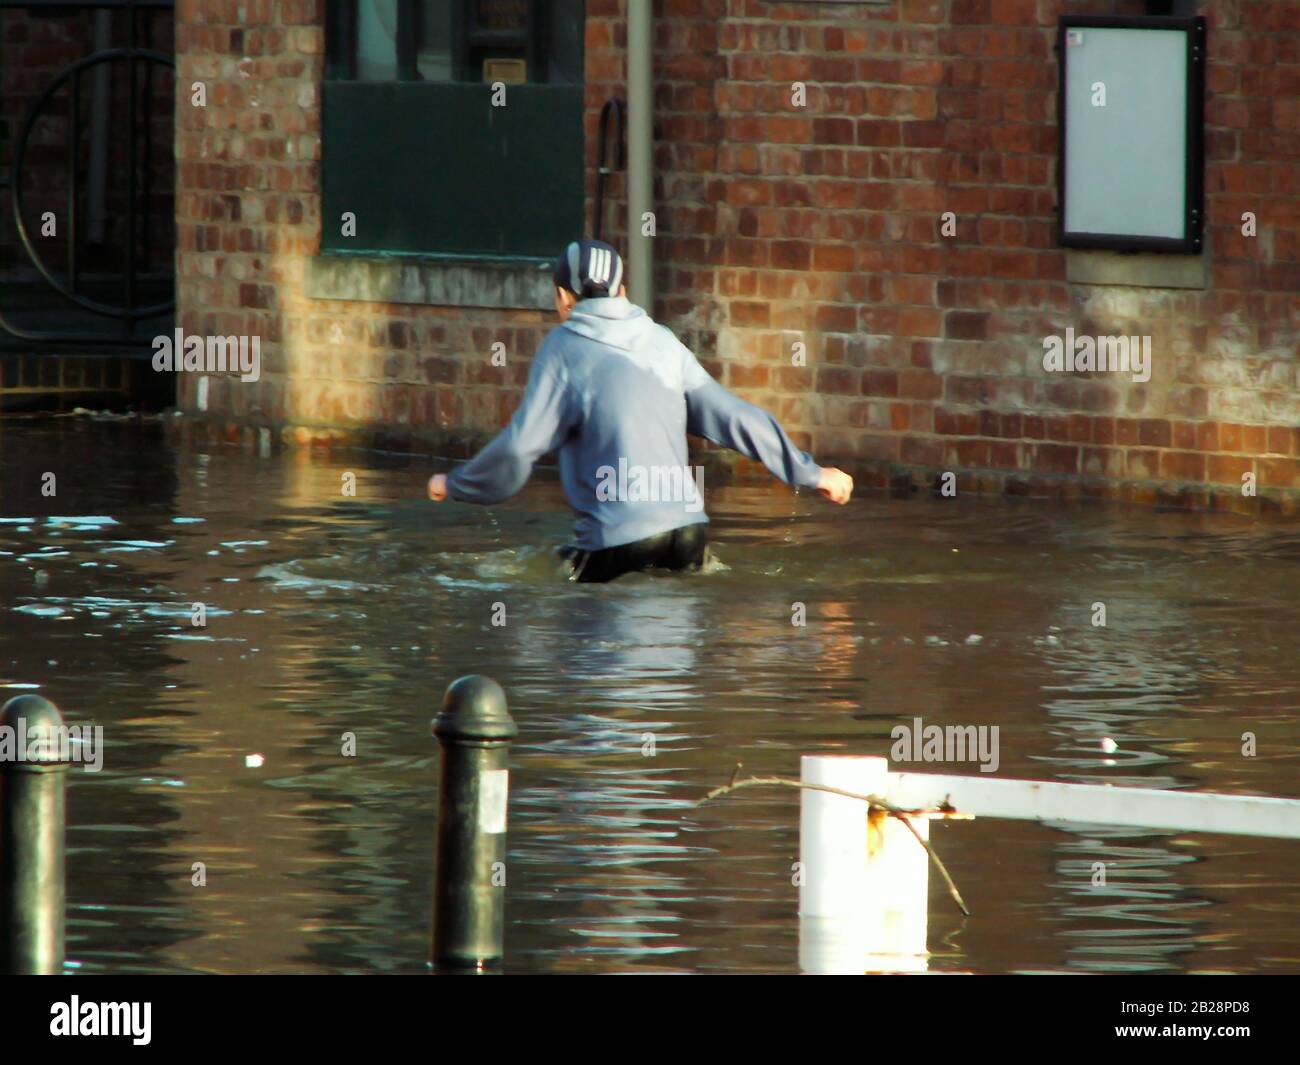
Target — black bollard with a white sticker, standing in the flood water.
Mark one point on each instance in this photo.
(475, 730)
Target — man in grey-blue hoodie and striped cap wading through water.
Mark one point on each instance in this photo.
(616, 392)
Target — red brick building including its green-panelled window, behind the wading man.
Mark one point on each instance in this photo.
(775, 226)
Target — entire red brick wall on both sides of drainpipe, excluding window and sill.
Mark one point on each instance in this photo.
(821, 226)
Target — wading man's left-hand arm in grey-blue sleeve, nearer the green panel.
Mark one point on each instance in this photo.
(501, 470)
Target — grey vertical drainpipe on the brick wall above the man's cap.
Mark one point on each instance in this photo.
(640, 153)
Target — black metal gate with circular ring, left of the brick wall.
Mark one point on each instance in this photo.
(88, 232)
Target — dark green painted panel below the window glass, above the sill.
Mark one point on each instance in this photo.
(436, 170)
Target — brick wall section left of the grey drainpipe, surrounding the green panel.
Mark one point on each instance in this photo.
(249, 217)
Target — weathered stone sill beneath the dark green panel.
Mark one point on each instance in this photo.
(509, 284)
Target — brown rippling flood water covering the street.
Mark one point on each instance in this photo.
(331, 614)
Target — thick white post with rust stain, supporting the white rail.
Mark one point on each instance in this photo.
(865, 890)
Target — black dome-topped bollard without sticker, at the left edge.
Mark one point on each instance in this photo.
(32, 838)
